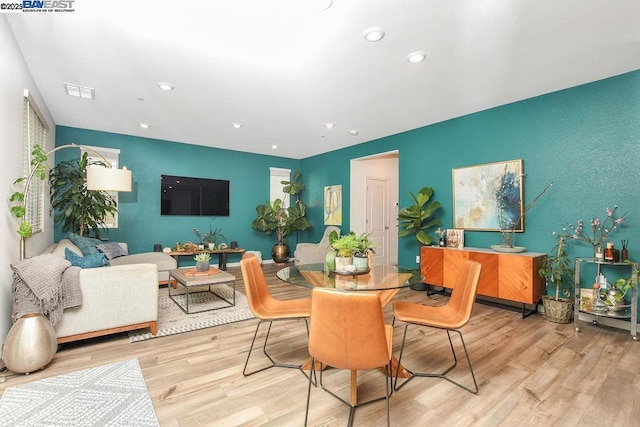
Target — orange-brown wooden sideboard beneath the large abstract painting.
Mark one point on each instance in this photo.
(507, 276)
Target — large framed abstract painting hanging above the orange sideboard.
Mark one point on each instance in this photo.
(489, 196)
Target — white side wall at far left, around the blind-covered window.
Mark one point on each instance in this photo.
(15, 77)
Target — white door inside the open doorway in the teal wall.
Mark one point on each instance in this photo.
(377, 218)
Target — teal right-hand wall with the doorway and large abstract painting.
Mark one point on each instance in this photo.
(585, 139)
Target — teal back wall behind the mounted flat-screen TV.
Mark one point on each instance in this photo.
(140, 222)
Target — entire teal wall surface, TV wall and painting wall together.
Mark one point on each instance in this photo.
(585, 139)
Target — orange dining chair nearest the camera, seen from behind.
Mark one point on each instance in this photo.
(348, 332)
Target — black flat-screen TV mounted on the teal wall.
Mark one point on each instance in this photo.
(182, 195)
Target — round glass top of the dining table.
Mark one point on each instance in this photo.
(378, 278)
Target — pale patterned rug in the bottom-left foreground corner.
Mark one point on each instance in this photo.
(109, 395)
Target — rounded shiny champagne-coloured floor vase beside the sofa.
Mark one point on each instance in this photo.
(30, 344)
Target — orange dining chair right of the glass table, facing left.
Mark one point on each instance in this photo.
(450, 317)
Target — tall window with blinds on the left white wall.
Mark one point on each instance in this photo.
(34, 132)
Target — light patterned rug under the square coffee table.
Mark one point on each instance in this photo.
(172, 320)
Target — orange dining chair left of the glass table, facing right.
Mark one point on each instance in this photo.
(268, 309)
